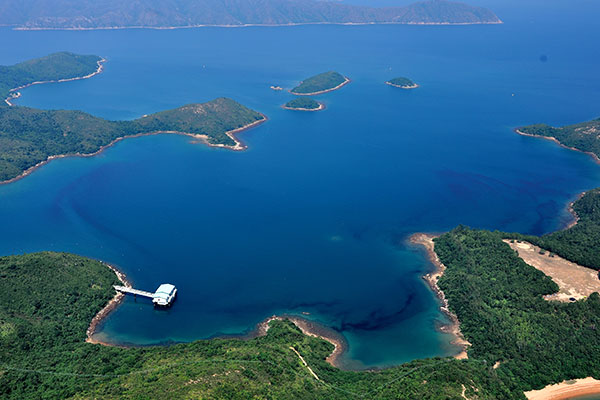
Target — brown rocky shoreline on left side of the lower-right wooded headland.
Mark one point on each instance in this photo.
(426, 241)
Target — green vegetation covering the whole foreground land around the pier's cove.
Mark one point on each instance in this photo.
(50, 298)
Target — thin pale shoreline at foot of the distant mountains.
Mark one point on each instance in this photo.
(23, 28)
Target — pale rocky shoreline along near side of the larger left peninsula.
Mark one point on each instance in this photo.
(239, 146)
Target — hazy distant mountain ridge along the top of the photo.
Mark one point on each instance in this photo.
(104, 14)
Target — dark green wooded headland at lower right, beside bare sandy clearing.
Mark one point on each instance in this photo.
(498, 299)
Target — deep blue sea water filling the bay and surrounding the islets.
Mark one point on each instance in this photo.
(314, 216)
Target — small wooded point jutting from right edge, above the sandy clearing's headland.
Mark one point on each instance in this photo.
(584, 136)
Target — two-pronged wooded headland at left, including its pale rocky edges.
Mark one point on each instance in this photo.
(30, 137)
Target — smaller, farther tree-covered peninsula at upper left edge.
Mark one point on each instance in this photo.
(53, 67)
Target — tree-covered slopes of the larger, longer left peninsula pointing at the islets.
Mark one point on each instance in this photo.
(29, 136)
